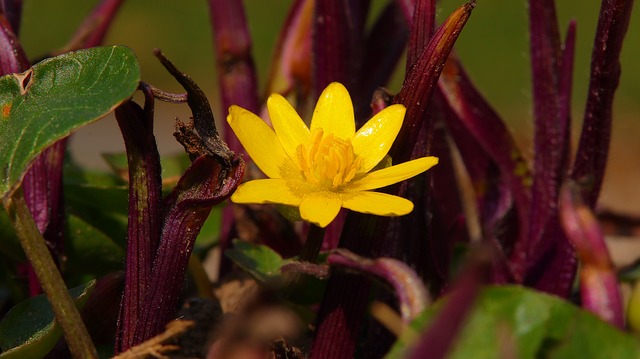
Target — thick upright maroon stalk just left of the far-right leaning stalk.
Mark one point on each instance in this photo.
(549, 132)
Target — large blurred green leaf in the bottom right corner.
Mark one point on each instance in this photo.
(534, 324)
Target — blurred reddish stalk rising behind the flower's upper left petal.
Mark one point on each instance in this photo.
(234, 62)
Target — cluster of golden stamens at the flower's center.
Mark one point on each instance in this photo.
(327, 161)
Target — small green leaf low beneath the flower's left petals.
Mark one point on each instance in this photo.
(258, 260)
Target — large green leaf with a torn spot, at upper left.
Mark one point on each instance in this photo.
(56, 97)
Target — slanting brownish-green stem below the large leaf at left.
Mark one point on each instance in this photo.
(53, 285)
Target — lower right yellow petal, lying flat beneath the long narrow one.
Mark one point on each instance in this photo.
(380, 204)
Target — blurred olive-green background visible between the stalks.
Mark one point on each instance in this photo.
(493, 46)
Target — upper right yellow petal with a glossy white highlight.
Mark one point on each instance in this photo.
(374, 139)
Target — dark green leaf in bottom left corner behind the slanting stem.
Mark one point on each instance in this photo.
(29, 329)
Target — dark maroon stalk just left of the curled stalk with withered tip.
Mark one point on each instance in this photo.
(145, 213)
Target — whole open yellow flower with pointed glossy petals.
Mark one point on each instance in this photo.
(325, 167)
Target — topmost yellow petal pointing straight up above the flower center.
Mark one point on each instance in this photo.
(334, 112)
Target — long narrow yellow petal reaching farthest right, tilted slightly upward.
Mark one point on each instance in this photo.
(393, 174)
